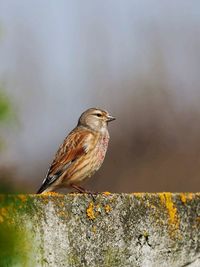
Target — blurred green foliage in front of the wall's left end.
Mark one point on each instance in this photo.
(15, 240)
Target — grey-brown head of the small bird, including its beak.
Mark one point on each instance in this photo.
(96, 119)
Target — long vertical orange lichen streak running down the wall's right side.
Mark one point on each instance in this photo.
(166, 200)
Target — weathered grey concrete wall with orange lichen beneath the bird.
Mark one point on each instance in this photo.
(110, 230)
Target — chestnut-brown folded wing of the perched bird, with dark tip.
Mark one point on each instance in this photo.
(74, 146)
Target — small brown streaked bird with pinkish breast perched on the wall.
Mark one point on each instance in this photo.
(81, 153)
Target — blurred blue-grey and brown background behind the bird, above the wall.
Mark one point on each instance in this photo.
(140, 60)
